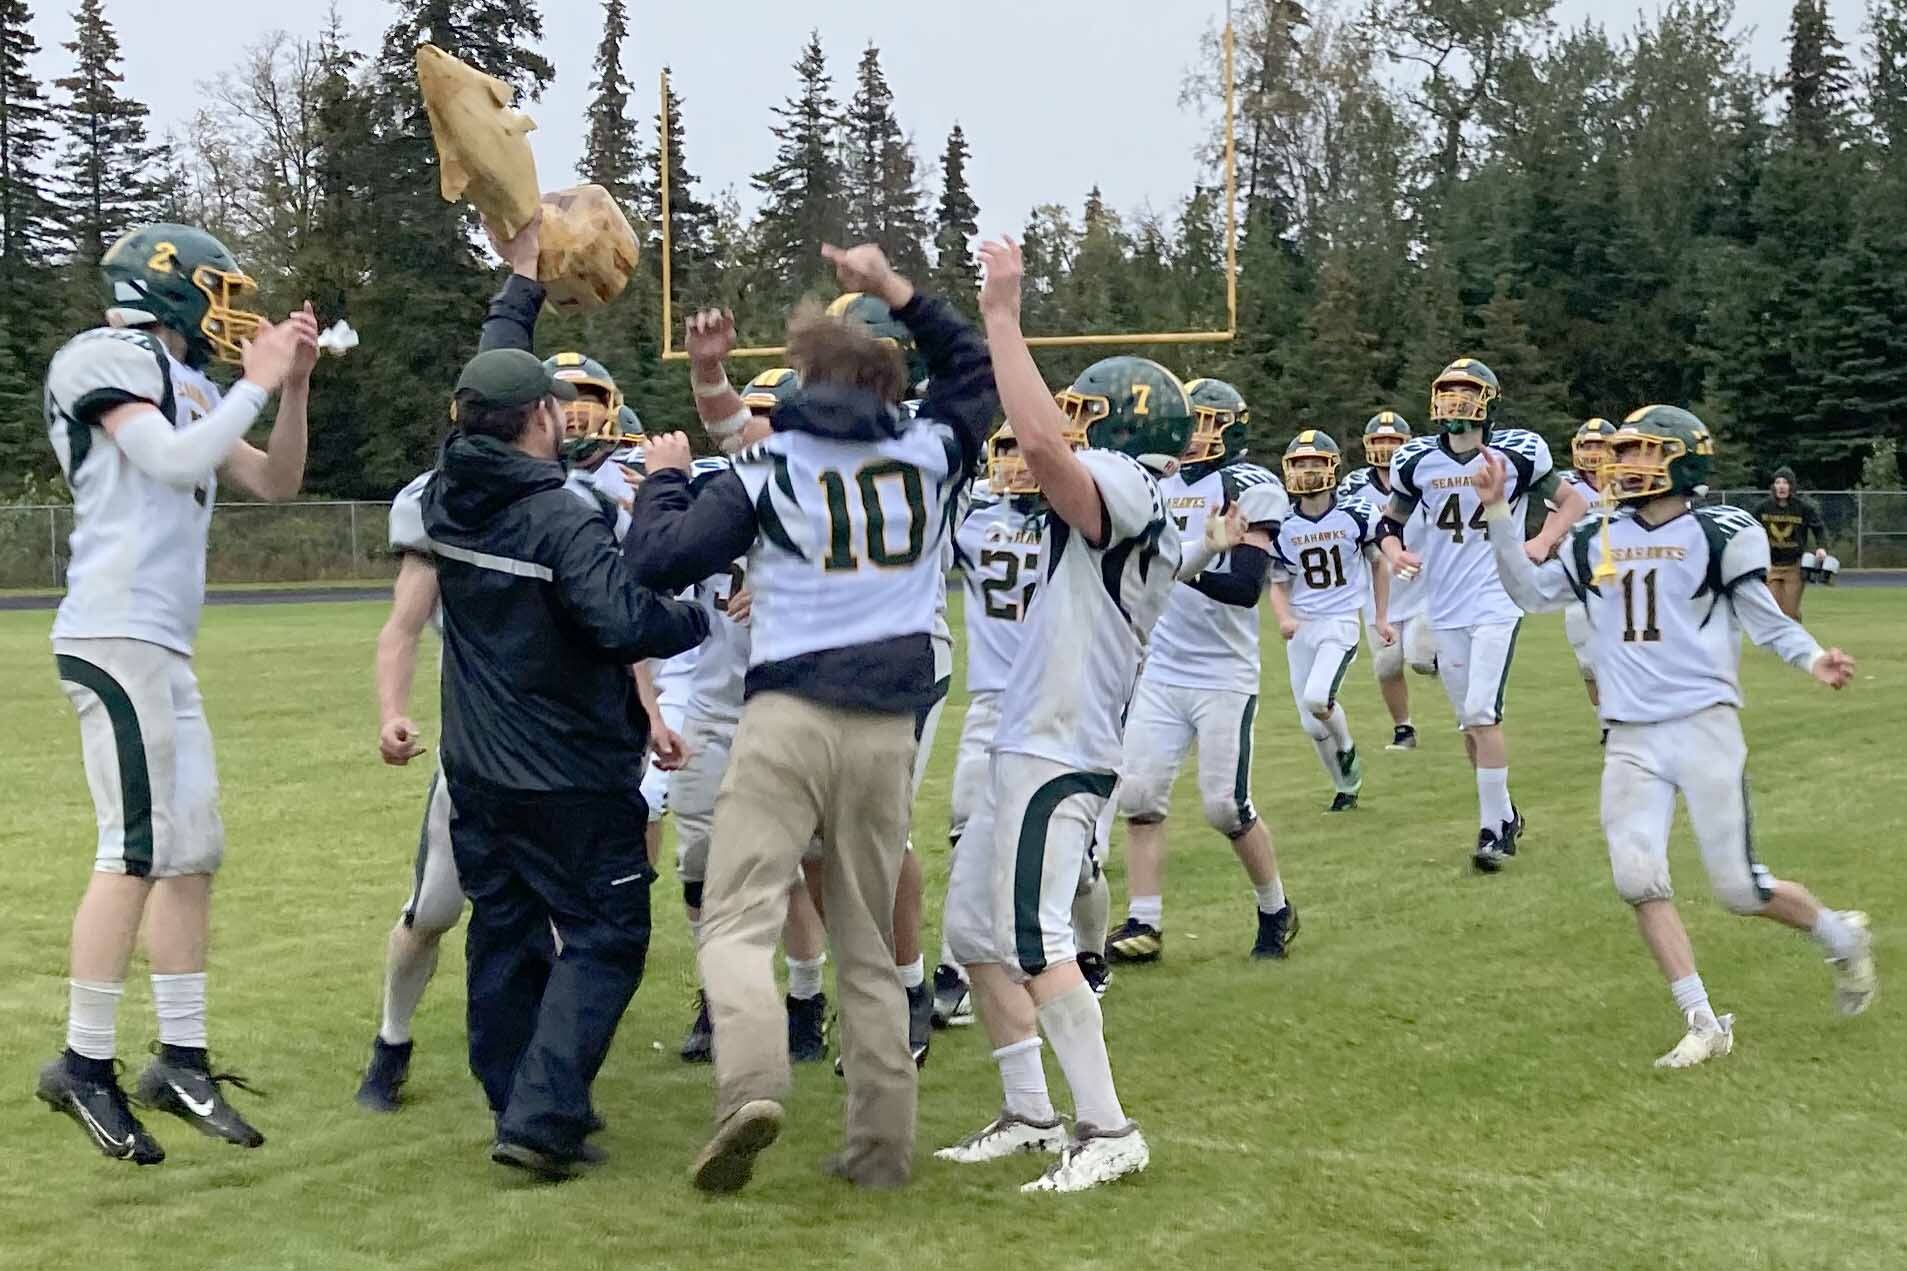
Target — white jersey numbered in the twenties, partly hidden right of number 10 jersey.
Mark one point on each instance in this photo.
(998, 562)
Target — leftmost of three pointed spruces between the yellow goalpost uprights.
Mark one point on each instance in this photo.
(802, 203)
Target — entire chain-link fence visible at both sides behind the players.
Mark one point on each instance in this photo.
(323, 543)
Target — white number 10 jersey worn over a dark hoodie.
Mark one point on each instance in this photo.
(851, 537)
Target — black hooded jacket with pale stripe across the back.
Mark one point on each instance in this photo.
(543, 621)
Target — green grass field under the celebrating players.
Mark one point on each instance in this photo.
(1452, 1072)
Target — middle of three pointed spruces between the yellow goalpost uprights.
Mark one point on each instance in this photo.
(882, 192)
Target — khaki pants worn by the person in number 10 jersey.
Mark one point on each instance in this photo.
(800, 770)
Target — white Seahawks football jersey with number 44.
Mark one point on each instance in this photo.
(1460, 575)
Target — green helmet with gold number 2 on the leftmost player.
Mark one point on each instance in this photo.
(184, 280)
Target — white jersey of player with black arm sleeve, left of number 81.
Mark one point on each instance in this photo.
(1206, 644)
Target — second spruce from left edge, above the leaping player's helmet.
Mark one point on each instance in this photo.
(110, 175)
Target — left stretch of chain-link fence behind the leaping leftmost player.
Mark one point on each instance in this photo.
(249, 543)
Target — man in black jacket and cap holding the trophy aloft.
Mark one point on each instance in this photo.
(544, 749)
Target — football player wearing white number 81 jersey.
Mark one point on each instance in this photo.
(1324, 549)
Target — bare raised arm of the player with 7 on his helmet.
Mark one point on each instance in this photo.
(1038, 423)
